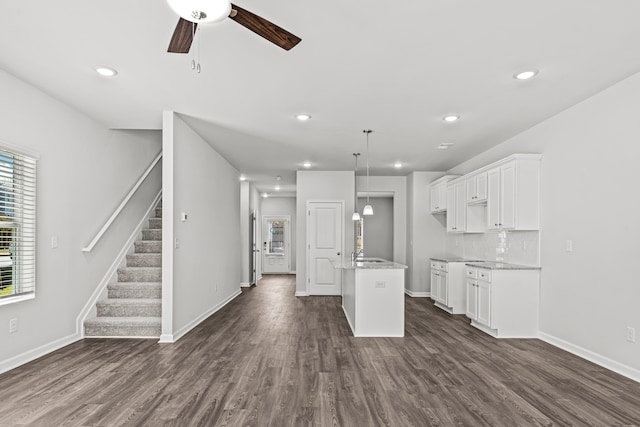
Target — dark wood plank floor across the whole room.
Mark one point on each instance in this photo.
(270, 359)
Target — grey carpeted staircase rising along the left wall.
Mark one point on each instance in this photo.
(133, 307)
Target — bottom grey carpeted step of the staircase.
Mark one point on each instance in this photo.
(148, 327)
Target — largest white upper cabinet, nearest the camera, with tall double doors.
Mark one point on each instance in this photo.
(513, 196)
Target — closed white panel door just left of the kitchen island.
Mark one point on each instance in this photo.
(324, 238)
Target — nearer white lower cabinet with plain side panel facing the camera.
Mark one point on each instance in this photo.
(503, 302)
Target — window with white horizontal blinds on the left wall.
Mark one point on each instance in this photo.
(17, 226)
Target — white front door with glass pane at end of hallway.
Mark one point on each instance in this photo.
(276, 254)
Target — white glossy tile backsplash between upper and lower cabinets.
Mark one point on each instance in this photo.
(516, 247)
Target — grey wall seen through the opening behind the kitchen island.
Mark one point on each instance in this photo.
(378, 228)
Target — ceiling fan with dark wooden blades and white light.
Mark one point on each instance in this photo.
(194, 12)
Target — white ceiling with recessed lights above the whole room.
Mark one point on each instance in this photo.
(395, 67)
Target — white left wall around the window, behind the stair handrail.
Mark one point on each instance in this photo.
(84, 171)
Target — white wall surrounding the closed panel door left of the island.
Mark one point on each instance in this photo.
(321, 185)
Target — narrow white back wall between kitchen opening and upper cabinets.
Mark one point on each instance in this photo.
(427, 234)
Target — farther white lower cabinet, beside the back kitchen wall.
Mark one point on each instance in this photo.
(447, 286)
